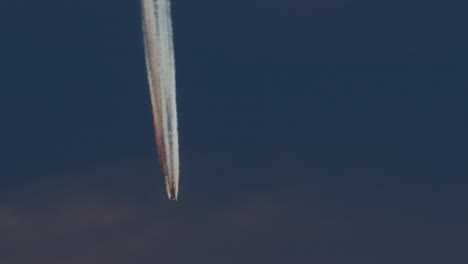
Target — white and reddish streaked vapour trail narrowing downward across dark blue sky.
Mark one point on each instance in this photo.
(159, 49)
